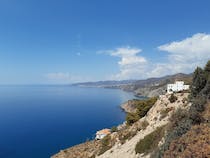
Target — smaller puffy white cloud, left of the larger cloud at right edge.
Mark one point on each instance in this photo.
(131, 65)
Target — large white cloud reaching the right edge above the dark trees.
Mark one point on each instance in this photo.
(185, 55)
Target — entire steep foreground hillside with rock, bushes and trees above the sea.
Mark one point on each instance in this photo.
(170, 126)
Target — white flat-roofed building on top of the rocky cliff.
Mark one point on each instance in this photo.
(177, 87)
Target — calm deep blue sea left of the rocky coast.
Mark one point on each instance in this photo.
(38, 121)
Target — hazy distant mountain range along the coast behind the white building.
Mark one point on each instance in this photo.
(147, 87)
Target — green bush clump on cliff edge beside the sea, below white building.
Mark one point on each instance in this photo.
(142, 106)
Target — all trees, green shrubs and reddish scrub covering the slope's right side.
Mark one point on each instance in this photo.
(186, 125)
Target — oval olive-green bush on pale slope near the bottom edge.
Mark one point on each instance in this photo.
(150, 142)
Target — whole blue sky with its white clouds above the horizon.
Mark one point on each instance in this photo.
(68, 41)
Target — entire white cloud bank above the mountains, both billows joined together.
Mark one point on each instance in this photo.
(182, 56)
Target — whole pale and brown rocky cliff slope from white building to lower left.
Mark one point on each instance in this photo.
(123, 142)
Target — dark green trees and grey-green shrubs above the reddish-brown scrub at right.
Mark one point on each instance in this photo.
(182, 120)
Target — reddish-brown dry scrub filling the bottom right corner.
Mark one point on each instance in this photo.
(195, 143)
